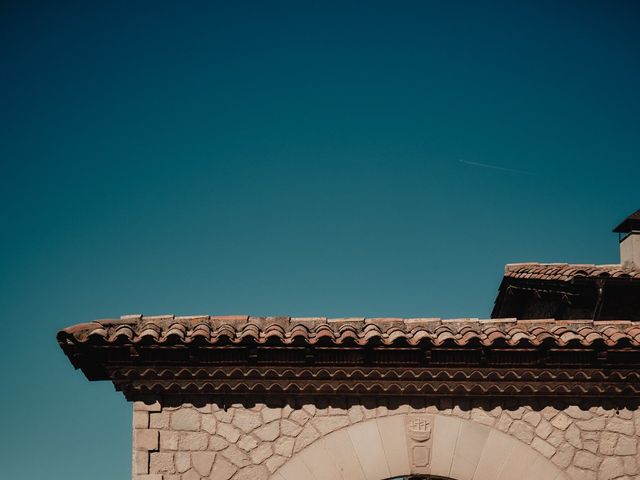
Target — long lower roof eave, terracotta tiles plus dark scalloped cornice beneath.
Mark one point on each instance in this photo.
(390, 357)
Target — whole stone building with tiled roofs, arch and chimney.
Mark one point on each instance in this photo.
(522, 398)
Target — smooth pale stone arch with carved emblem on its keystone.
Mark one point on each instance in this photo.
(418, 444)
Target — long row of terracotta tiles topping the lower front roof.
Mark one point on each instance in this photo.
(359, 331)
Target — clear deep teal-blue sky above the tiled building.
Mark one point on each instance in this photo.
(273, 158)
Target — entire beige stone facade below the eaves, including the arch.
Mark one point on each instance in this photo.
(374, 440)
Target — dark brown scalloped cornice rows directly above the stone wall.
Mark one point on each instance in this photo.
(136, 382)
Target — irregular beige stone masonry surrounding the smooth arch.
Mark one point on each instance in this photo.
(192, 442)
